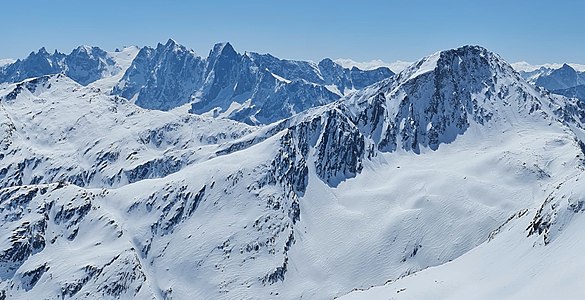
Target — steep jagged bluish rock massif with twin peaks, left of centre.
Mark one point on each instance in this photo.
(250, 87)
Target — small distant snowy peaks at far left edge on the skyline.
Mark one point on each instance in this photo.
(84, 65)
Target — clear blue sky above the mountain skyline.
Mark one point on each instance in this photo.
(536, 31)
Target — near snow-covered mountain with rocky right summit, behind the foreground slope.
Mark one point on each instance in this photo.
(101, 198)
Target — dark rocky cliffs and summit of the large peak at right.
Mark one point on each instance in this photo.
(431, 103)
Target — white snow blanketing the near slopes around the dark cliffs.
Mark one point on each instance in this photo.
(404, 212)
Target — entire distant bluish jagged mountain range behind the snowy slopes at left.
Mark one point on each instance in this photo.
(252, 88)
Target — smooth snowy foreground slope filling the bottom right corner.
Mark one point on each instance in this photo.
(510, 265)
